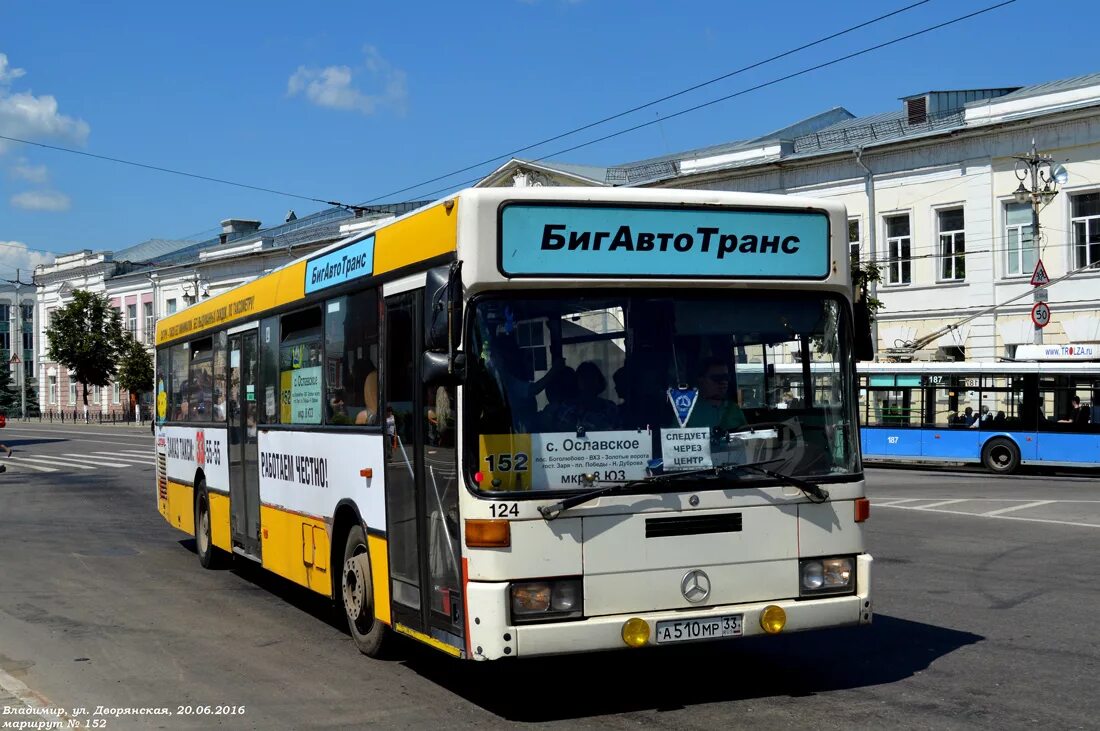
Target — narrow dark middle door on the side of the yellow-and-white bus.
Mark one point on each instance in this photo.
(244, 469)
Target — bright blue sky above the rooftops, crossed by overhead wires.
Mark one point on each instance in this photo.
(354, 101)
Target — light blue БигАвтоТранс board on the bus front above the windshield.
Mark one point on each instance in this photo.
(591, 240)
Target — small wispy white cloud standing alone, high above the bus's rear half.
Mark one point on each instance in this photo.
(334, 86)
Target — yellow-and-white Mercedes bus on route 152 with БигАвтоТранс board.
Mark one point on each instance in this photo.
(523, 423)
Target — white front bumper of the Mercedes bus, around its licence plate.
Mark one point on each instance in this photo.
(599, 634)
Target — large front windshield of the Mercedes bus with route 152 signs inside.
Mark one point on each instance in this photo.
(566, 392)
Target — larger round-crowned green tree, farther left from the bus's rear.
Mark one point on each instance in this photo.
(86, 338)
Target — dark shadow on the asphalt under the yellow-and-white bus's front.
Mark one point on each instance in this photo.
(673, 679)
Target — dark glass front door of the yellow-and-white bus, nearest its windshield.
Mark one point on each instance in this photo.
(422, 485)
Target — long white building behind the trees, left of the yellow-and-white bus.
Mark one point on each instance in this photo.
(159, 278)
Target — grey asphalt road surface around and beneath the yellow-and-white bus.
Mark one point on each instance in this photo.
(986, 594)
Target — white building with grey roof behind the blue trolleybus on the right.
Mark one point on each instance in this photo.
(929, 189)
